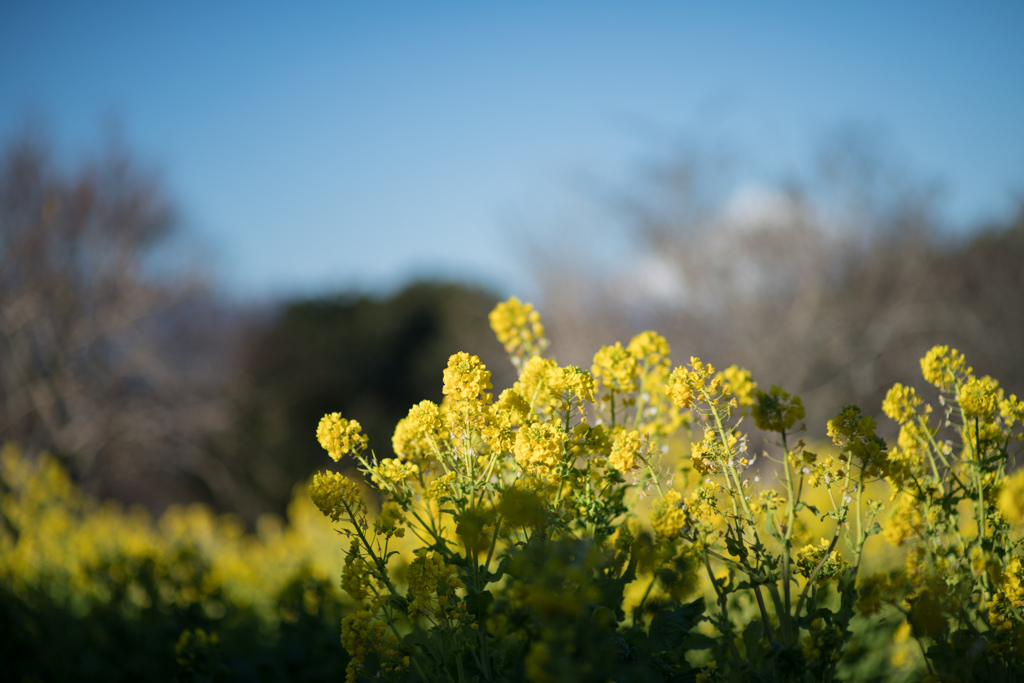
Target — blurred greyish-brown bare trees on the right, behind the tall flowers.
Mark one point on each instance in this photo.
(832, 287)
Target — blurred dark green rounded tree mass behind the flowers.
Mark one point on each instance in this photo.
(371, 360)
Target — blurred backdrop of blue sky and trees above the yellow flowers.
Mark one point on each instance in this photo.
(218, 224)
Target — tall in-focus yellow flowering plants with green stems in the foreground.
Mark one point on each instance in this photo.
(491, 477)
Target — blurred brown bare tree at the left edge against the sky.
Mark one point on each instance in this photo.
(99, 358)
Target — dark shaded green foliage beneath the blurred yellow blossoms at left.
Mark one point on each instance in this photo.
(46, 639)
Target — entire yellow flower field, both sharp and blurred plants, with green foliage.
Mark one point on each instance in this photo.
(610, 524)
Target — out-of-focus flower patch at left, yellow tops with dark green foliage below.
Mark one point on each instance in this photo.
(93, 593)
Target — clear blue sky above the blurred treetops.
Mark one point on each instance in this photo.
(316, 146)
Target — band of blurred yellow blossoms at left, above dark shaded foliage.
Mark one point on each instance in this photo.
(59, 543)
